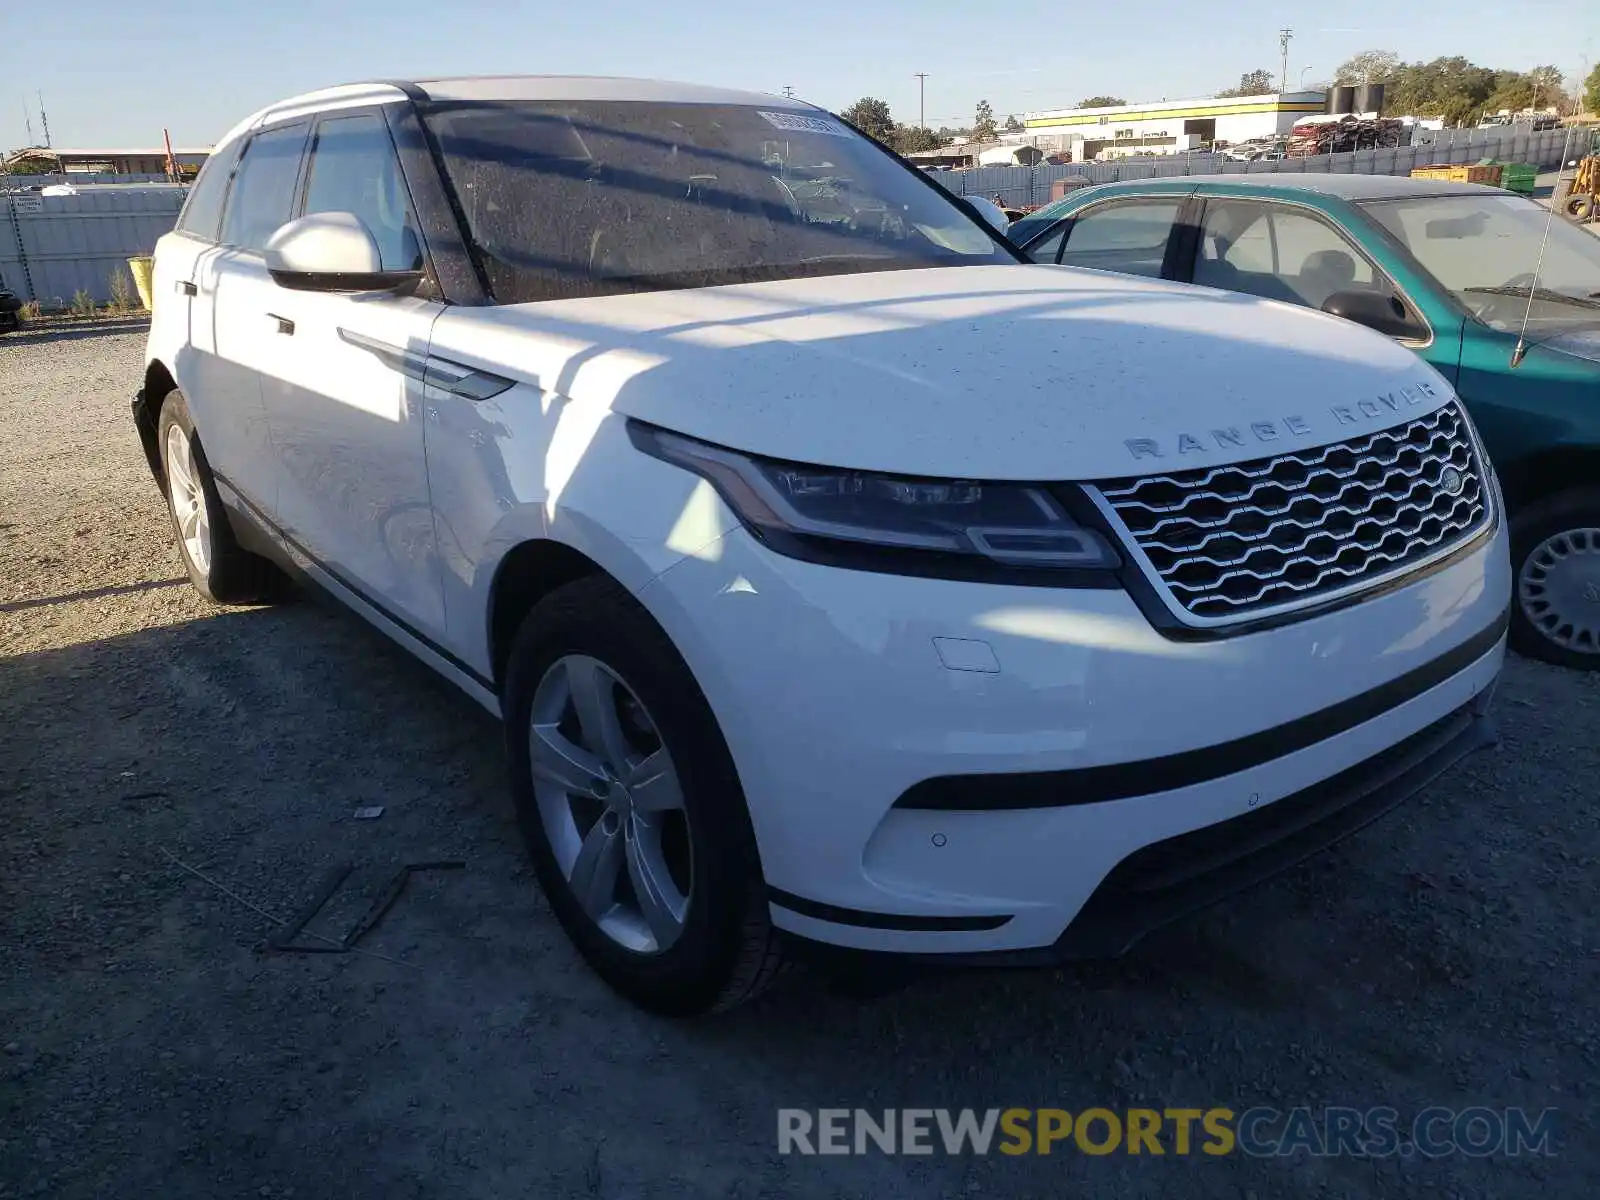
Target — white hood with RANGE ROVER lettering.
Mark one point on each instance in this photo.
(1031, 374)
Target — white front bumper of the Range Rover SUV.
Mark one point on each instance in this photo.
(961, 769)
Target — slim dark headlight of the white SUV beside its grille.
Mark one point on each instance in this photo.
(898, 521)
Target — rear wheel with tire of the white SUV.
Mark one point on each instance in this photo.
(220, 569)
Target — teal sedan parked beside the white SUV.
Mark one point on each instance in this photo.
(1460, 273)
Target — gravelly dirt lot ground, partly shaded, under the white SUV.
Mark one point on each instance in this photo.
(1447, 956)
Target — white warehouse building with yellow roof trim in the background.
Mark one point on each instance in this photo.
(1169, 127)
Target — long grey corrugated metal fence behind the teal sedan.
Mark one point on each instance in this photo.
(1450, 148)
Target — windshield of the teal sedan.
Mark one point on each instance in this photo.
(1484, 250)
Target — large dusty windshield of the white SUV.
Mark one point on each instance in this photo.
(599, 198)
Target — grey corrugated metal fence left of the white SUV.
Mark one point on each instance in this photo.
(57, 246)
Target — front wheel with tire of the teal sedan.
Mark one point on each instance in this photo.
(1556, 558)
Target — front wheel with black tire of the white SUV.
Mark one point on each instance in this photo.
(631, 807)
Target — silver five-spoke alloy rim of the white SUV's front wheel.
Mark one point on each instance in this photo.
(612, 804)
